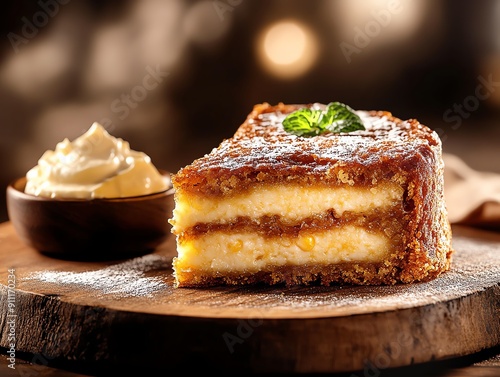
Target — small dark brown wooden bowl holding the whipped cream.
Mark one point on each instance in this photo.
(91, 229)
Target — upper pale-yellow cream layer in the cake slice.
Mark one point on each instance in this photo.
(291, 202)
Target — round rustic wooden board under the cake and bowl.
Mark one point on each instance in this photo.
(127, 314)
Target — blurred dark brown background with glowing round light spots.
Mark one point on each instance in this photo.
(175, 77)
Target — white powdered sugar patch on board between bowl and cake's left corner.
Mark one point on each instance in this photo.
(124, 279)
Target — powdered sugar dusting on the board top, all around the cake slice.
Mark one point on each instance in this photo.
(148, 281)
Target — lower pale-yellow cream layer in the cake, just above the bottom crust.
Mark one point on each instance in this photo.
(220, 252)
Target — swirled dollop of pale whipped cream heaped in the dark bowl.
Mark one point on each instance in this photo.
(95, 165)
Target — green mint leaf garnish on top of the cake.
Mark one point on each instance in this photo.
(336, 118)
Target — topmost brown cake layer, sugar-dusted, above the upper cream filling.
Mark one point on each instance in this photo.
(262, 152)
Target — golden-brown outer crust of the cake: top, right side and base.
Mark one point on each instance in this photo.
(390, 149)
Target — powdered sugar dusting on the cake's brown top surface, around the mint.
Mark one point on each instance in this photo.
(262, 141)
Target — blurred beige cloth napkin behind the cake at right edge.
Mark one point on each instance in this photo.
(472, 197)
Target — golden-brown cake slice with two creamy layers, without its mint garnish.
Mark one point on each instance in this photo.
(361, 207)
